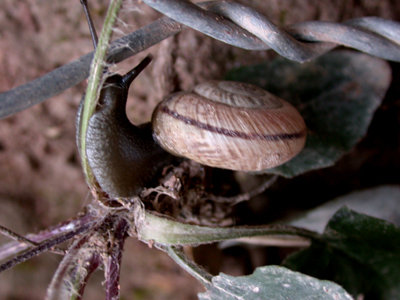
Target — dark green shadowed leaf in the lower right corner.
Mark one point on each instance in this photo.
(359, 252)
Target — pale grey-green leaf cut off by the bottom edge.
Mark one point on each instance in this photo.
(275, 283)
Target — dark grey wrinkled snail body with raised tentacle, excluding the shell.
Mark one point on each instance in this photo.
(123, 157)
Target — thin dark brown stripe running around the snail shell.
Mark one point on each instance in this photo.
(233, 133)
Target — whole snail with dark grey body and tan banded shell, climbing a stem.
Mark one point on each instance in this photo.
(223, 124)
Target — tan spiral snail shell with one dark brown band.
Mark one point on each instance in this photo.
(229, 125)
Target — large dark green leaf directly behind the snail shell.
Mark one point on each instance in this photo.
(337, 94)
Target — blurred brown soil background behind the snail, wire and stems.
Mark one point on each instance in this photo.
(41, 182)
